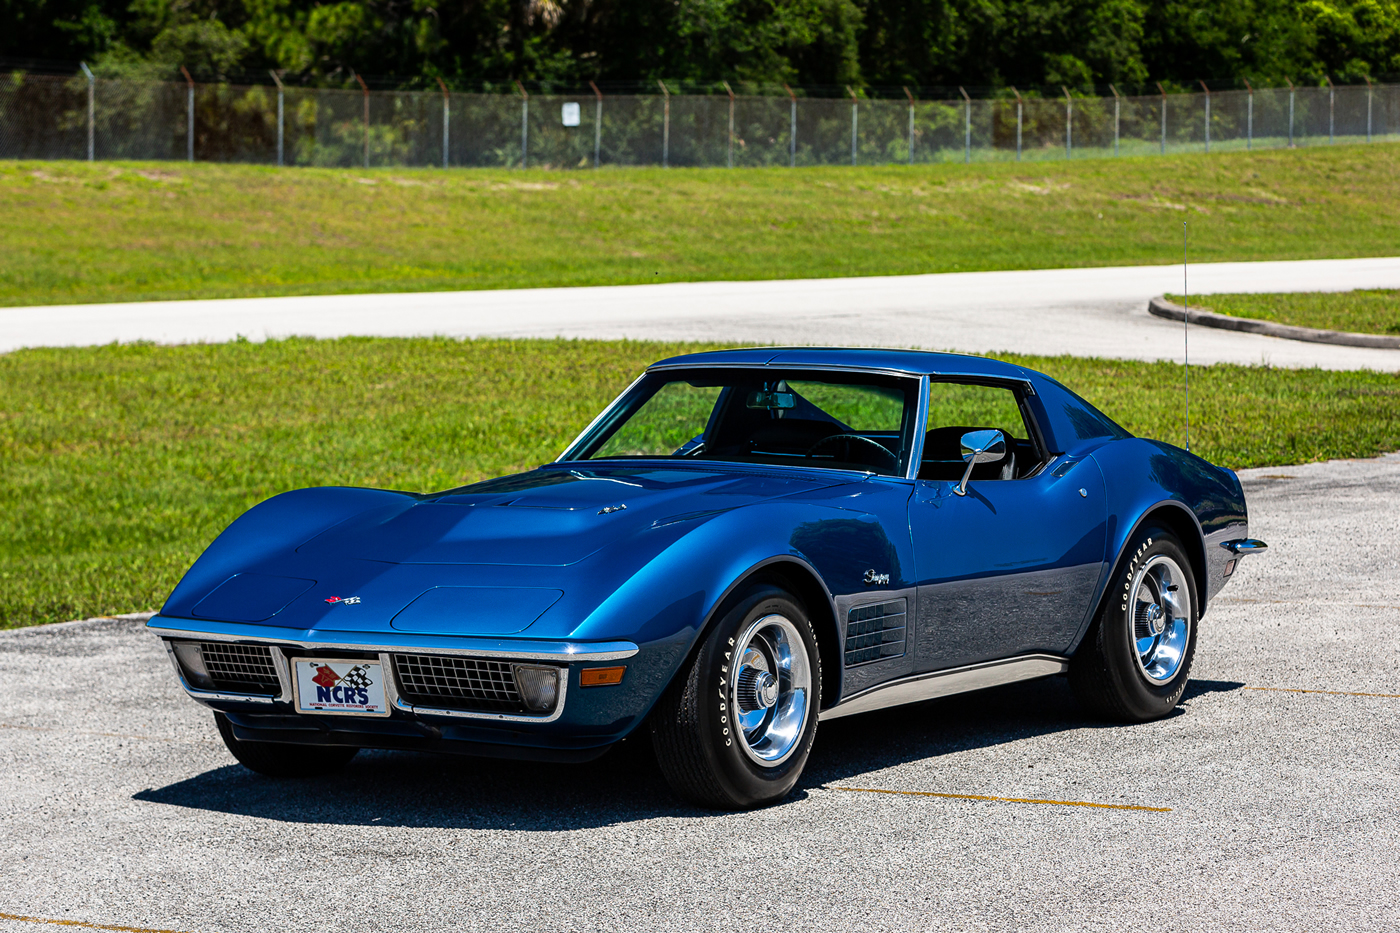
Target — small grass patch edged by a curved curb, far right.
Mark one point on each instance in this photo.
(1361, 312)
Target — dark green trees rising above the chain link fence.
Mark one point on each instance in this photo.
(814, 43)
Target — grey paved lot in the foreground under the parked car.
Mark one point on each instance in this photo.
(121, 808)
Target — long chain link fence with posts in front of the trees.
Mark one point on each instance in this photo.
(45, 117)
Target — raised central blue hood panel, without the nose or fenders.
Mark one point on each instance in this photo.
(548, 518)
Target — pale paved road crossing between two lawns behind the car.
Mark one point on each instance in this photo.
(1079, 312)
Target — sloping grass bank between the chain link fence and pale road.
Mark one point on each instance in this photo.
(113, 232)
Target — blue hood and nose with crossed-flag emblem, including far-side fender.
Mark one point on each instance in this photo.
(485, 560)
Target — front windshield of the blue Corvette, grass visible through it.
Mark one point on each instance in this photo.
(838, 421)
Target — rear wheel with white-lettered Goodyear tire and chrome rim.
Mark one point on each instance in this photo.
(1136, 661)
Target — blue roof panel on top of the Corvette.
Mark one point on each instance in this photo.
(911, 362)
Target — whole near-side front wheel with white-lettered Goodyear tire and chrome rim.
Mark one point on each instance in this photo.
(736, 729)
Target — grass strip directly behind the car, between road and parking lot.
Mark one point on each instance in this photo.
(118, 464)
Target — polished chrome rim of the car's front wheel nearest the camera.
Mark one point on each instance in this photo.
(771, 689)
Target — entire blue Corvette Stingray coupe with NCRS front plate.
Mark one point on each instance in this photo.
(741, 546)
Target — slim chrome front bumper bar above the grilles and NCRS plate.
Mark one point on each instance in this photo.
(395, 642)
